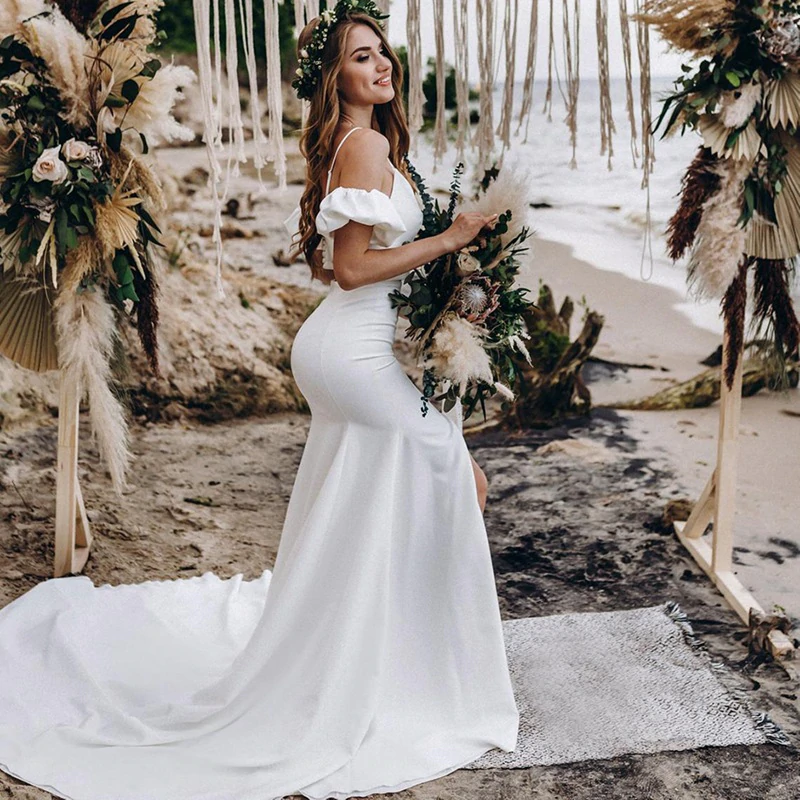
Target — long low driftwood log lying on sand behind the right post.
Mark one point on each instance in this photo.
(703, 390)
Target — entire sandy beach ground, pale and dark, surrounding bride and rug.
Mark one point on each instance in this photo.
(574, 527)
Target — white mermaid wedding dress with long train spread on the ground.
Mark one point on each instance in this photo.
(371, 658)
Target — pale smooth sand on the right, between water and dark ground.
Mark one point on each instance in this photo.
(643, 327)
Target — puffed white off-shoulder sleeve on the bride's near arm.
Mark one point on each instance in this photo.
(369, 207)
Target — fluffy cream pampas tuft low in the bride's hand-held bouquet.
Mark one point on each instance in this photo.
(457, 353)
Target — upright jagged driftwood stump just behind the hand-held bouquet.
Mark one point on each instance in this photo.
(551, 387)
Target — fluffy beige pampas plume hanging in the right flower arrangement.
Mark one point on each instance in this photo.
(719, 242)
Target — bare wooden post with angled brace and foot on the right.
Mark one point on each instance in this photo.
(717, 505)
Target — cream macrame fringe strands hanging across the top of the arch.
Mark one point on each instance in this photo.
(223, 117)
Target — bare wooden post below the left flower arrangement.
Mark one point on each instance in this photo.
(73, 537)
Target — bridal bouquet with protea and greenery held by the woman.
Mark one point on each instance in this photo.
(463, 310)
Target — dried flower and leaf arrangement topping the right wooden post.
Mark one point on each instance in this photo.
(740, 205)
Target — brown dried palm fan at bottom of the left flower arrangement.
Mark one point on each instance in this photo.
(27, 333)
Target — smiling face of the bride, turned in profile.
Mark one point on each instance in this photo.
(366, 74)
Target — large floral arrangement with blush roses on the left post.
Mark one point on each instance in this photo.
(77, 204)
